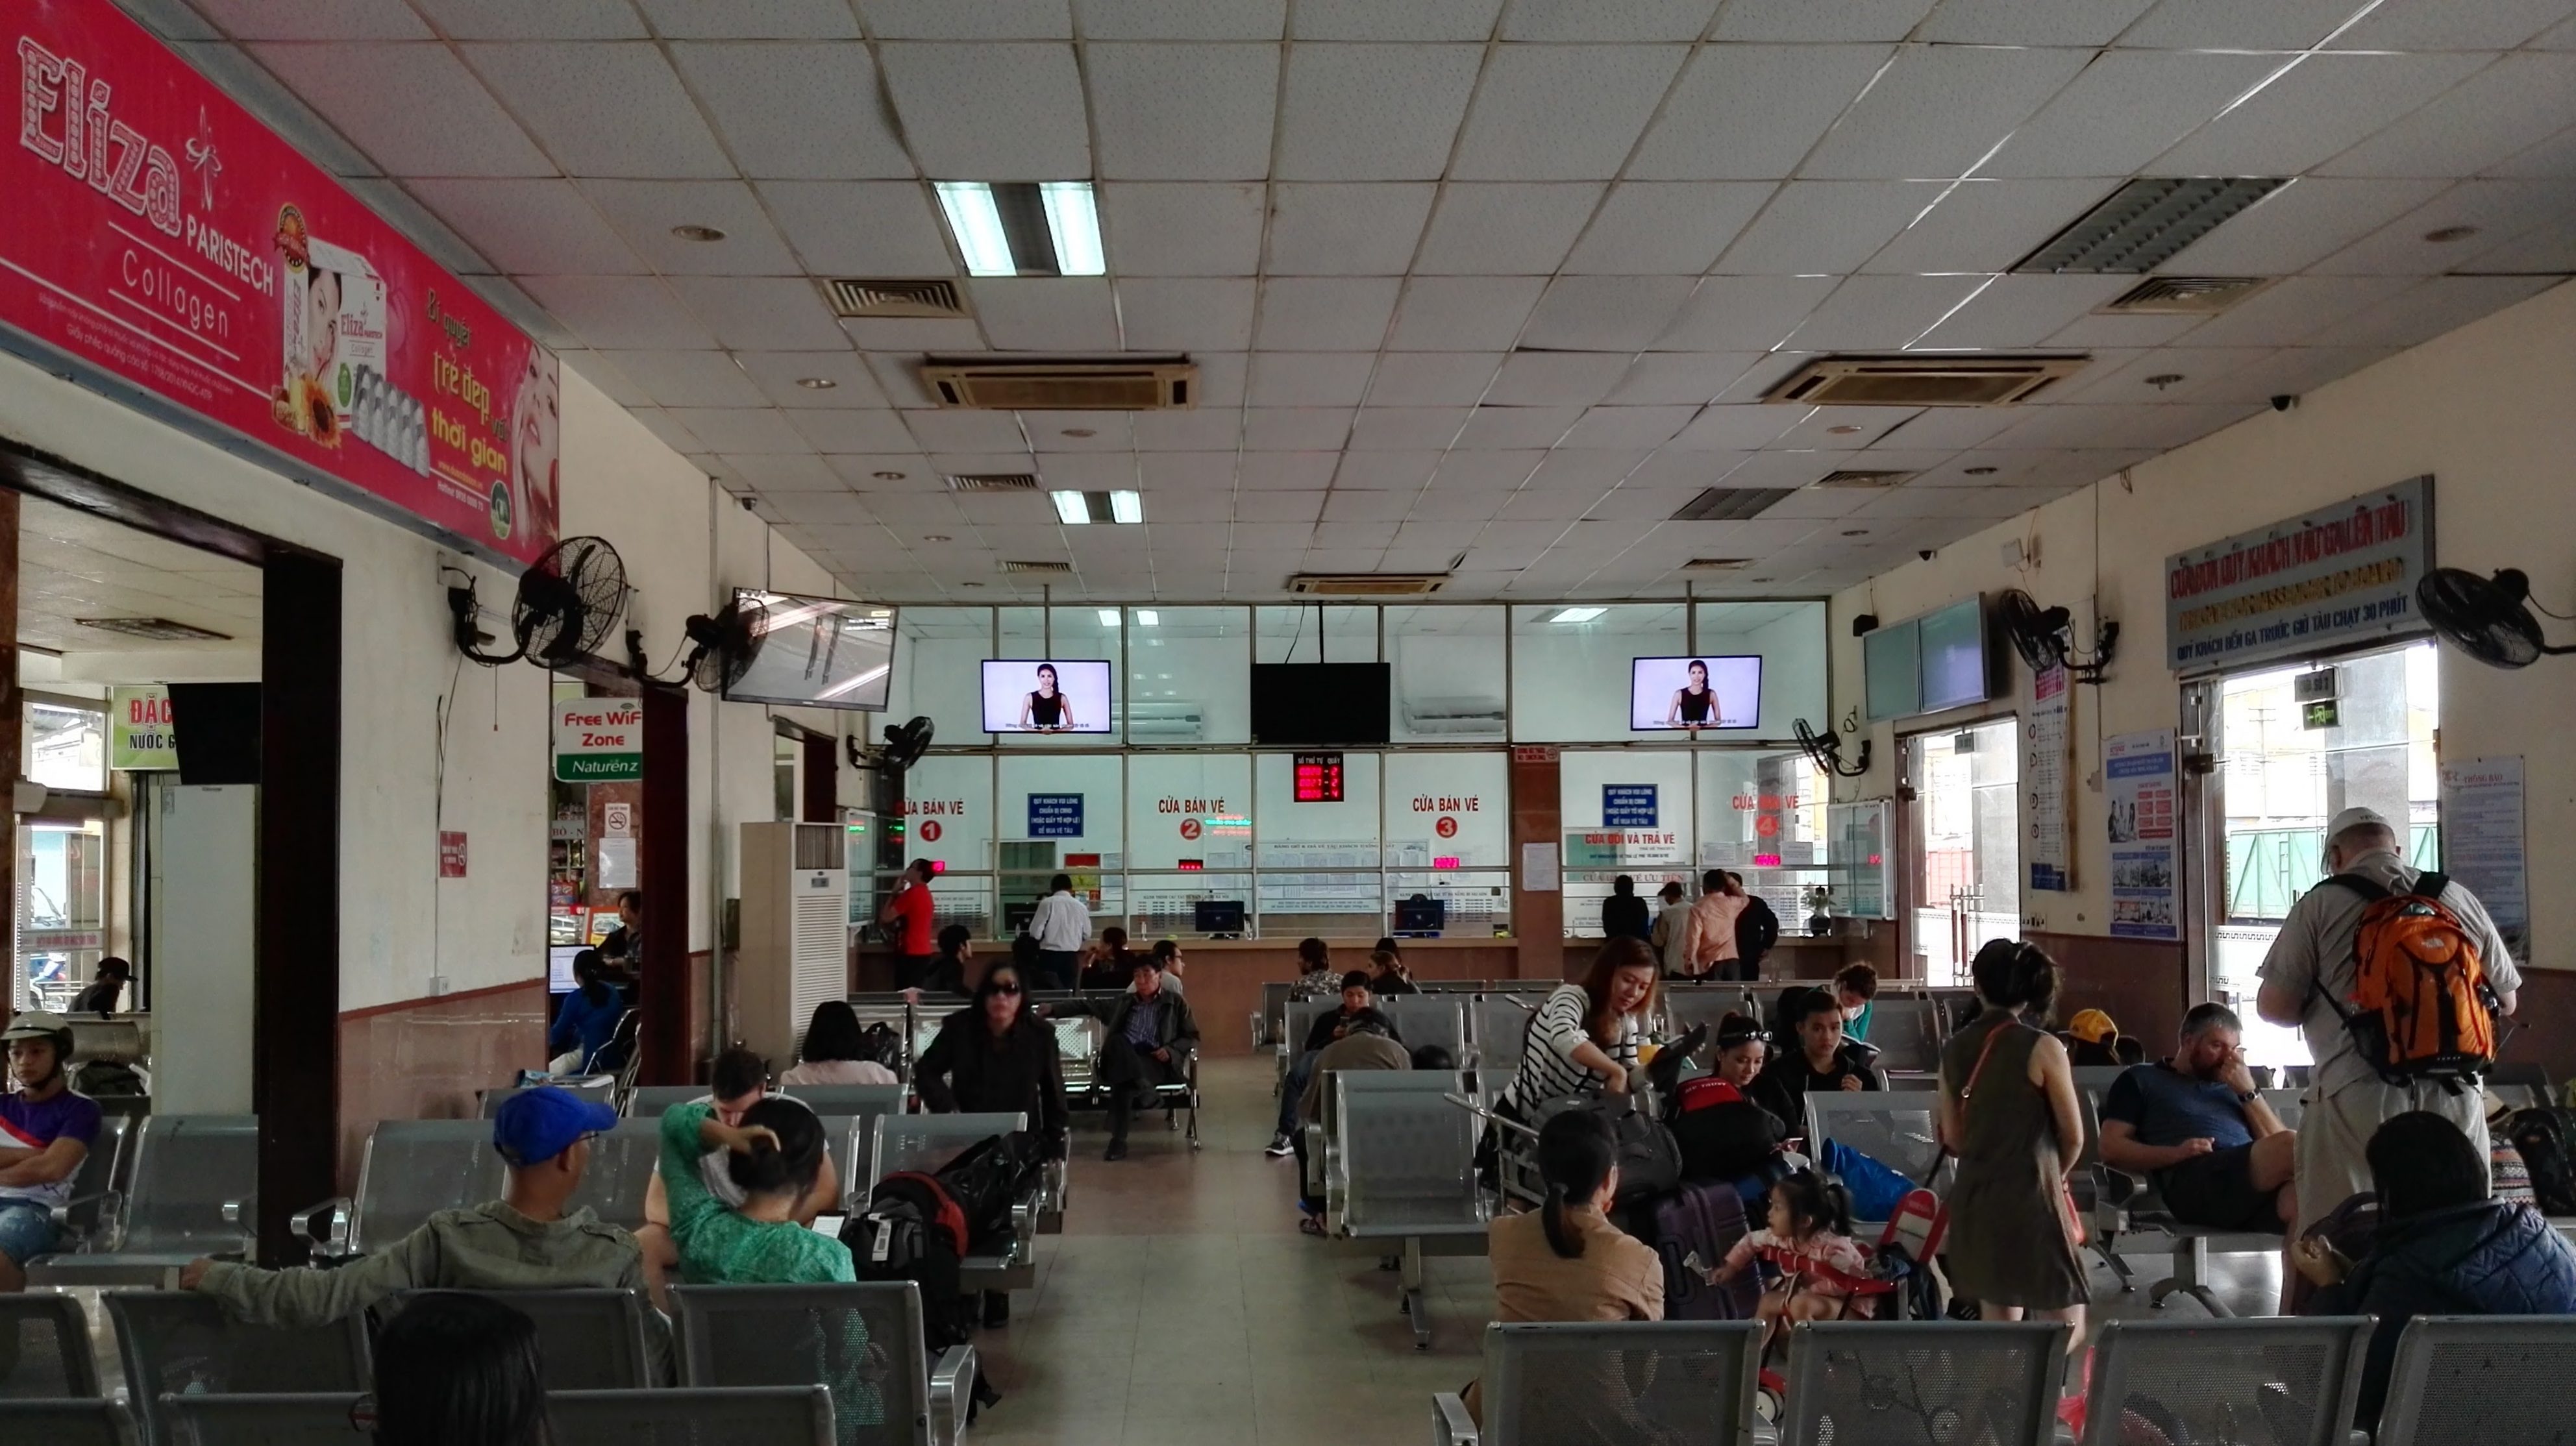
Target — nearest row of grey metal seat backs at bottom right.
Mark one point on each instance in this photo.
(2291, 1383)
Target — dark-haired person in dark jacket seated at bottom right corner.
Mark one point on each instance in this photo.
(2443, 1249)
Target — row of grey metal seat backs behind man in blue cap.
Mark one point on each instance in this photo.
(176, 1349)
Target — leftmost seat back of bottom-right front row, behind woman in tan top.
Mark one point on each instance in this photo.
(1637, 1380)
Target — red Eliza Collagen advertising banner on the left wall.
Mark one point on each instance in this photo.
(158, 233)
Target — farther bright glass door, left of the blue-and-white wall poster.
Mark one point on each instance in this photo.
(1967, 844)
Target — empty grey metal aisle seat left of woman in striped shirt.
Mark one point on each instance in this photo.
(1410, 1174)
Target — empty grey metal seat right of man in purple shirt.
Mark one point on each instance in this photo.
(192, 1190)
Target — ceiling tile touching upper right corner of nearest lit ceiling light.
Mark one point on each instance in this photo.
(1184, 112)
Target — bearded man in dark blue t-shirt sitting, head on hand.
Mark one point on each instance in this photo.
(2201, 1130)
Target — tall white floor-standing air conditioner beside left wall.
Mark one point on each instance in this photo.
(795, 932)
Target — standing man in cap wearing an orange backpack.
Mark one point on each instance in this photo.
(2397, 978)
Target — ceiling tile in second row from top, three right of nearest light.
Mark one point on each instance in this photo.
(1562, 112)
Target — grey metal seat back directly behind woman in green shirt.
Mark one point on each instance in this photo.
(833, 1336)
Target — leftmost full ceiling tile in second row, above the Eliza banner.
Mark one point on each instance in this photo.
(375, 94)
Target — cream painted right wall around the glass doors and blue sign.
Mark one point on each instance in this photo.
(2485, 411)
